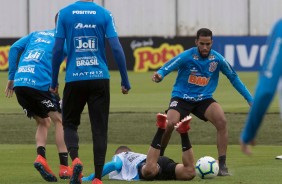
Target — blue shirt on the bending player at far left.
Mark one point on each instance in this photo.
(34, 67)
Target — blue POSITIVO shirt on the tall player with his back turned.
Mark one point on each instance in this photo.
(85, 25)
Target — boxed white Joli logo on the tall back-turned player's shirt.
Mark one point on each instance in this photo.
(85, 44)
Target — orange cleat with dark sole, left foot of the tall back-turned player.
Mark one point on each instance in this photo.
(77, 168)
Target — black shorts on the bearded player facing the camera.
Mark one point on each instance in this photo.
(185, 108)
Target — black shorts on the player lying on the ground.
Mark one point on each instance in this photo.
(166, 172)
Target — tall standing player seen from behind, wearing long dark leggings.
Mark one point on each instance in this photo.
(85, 26)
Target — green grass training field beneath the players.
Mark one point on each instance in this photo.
(131, 123)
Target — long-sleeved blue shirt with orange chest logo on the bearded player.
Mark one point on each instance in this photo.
(198, 77)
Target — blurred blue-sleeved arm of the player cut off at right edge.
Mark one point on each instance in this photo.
(269, 78)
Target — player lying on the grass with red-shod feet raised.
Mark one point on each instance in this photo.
(128, 165)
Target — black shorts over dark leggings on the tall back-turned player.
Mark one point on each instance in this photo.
(96, 93)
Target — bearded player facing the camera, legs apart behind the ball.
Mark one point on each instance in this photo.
(198, 74)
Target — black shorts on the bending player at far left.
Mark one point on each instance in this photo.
(36, 102)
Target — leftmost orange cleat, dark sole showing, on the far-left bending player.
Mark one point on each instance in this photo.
(43, 168)
